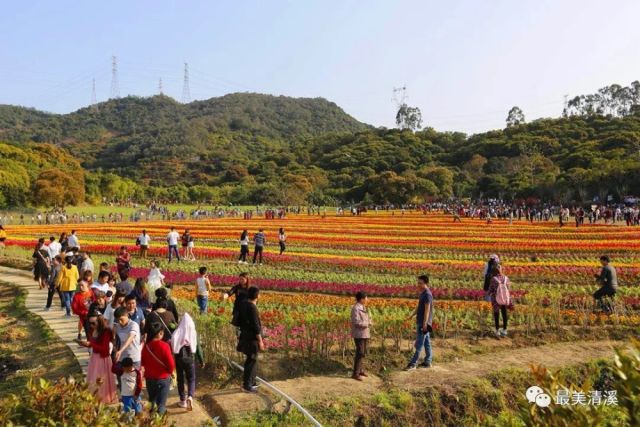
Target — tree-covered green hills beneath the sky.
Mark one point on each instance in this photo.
(247, 148)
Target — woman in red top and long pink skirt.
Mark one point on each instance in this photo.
(99, 375)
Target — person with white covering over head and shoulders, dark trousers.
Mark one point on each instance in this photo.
(186, 349)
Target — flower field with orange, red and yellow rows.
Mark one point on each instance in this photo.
(311, 286)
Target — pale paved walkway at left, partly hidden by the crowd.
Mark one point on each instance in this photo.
(67, 329)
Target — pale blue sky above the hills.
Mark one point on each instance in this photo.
(463, 63)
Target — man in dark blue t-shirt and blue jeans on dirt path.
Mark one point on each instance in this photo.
(424, 321)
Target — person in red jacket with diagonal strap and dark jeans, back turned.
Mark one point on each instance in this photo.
(158, 364)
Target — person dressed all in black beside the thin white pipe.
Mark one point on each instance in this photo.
(250, 340)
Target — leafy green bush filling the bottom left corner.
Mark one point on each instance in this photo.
(64, 403)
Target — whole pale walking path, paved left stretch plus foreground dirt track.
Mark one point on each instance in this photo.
(231, 403)
